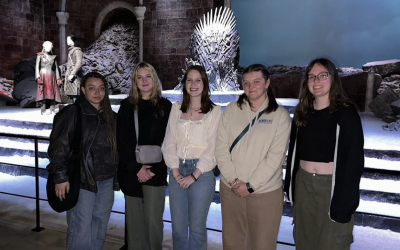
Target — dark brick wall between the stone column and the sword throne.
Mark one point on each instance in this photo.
(168, 25)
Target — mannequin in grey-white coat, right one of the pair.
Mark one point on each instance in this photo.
(72, 75)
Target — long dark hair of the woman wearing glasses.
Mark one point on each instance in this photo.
(337, 96)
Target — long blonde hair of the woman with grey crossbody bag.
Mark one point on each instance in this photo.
(134, 94)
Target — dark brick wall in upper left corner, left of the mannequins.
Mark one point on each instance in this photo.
(23, 28)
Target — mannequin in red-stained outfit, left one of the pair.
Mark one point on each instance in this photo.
(48, 78)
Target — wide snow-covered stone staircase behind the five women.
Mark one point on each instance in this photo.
(380, 186)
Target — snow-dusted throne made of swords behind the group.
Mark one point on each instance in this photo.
(215, 44)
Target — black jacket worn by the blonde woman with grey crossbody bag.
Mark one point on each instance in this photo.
(126, 139)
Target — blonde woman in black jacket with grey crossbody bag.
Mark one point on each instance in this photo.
(143, 185)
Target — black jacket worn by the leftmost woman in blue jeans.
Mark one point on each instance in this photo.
(61, 137)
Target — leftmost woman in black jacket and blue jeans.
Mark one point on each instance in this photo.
(87, 221)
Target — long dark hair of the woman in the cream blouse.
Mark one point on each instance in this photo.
(206, 104)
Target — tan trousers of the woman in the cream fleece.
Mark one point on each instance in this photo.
(251, 222)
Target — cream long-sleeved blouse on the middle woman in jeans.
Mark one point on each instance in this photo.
(187, 139)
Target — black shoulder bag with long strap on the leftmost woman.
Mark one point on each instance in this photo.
(73, 172)
